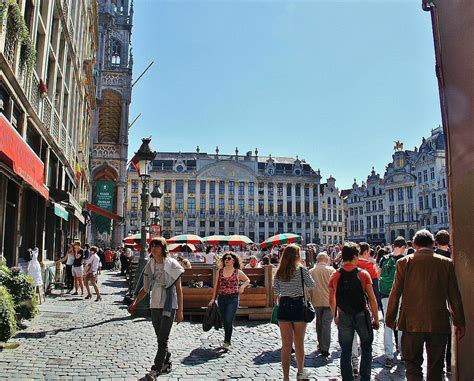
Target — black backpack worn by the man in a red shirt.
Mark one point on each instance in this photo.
(350, 297)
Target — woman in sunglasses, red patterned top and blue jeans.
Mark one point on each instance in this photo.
(227, 291)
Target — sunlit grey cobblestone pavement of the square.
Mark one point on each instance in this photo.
(77, 339)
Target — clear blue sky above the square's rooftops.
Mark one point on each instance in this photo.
(335, 82)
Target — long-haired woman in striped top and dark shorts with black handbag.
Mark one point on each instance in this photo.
(293, 311)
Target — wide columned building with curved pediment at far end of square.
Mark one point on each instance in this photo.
(258, 196)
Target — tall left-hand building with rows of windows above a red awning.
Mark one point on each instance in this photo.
(47, 98)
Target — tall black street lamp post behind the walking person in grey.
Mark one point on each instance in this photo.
(143, 158)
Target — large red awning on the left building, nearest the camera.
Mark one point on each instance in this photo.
(25, 162)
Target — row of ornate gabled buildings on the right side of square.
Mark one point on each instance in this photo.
(412, 195)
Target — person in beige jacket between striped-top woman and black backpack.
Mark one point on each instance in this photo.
(321, 273)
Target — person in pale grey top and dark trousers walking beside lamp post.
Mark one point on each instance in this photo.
(161, 278)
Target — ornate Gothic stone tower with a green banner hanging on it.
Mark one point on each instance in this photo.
(110, 132)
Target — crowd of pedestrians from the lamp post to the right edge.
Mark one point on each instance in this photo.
(411, 283)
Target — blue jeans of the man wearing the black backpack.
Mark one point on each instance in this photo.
(348, 325)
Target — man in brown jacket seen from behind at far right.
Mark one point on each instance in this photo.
(427, 283)
